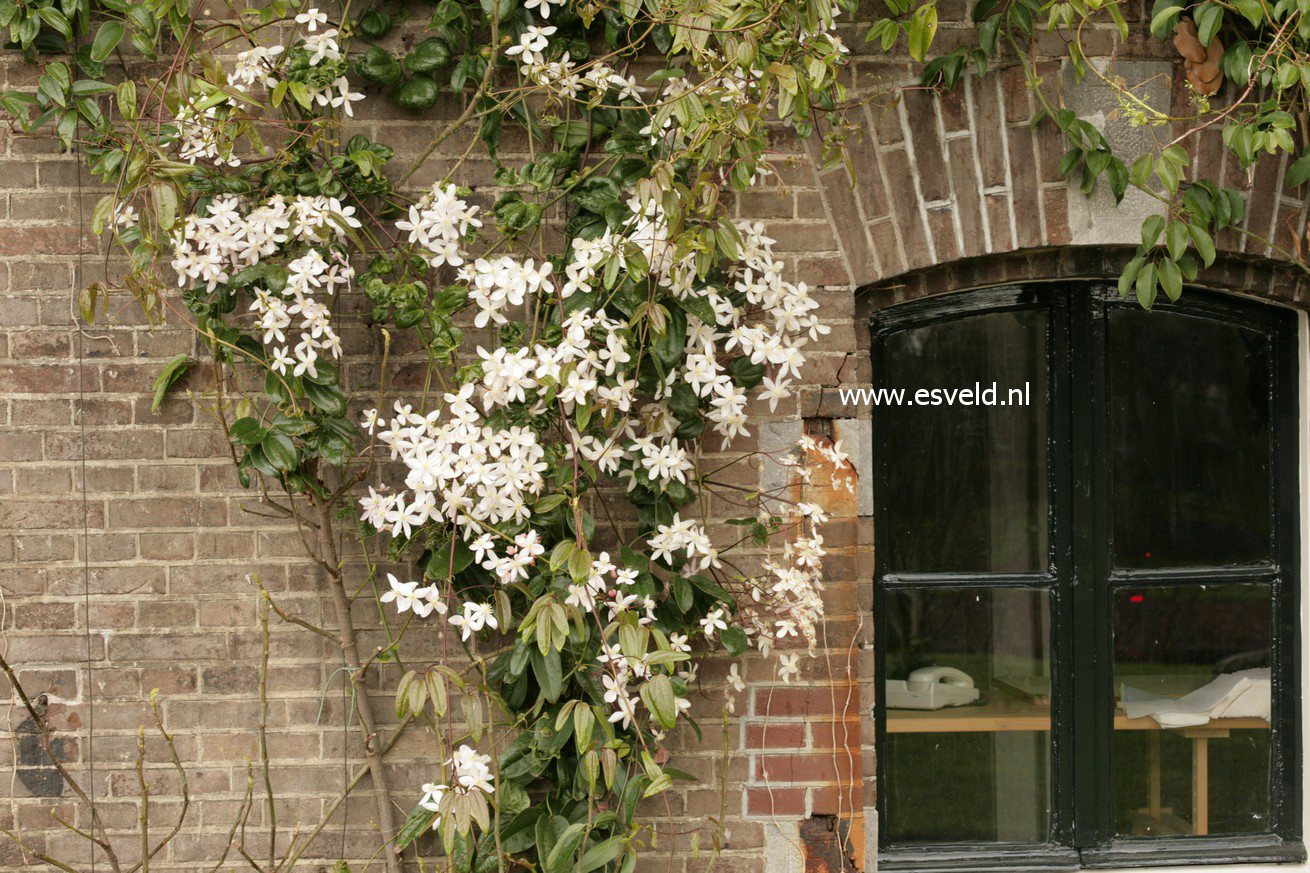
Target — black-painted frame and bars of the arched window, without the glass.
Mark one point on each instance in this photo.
(1081, 579)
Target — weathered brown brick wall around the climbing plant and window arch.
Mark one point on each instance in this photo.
(126, 541)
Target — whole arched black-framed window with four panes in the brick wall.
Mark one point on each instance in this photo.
(1088, 579)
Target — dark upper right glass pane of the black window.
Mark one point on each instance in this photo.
(1190, 431)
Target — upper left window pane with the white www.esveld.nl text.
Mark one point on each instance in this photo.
(967, 482)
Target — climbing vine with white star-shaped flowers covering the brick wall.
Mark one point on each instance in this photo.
(584, 339)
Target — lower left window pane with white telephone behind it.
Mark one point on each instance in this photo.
(967, 764)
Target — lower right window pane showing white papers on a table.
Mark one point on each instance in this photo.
(1193, 720)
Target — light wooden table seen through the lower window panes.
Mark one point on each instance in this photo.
(1004, 712)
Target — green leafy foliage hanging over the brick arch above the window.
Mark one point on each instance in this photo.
(1258, 49)
